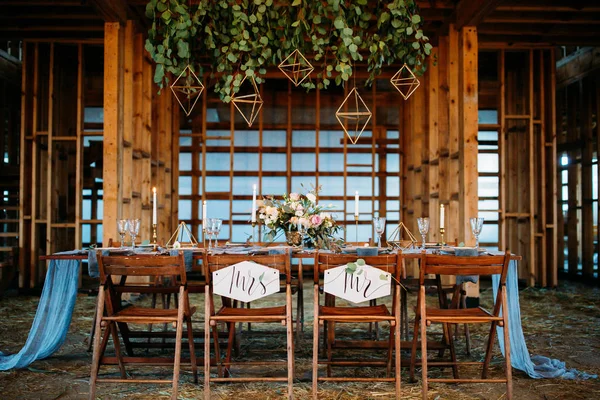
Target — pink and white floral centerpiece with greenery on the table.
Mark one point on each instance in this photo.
(296, 211)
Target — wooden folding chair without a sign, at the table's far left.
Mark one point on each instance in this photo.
(114, 318)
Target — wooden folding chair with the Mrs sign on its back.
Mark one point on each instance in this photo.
(223, 267)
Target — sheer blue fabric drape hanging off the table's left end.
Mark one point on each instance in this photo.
(53, 317)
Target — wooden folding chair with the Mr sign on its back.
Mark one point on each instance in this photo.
(328, 314)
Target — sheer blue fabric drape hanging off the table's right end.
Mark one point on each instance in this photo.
(536, 366)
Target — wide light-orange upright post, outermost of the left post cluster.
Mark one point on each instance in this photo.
(113, 128)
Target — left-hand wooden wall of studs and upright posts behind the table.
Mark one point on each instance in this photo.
(125, 154)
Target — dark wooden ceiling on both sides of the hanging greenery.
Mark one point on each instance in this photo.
(499, 22)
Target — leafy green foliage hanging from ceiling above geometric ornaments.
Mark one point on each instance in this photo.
(237, 38)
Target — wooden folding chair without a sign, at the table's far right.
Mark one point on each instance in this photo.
(455, 266)
